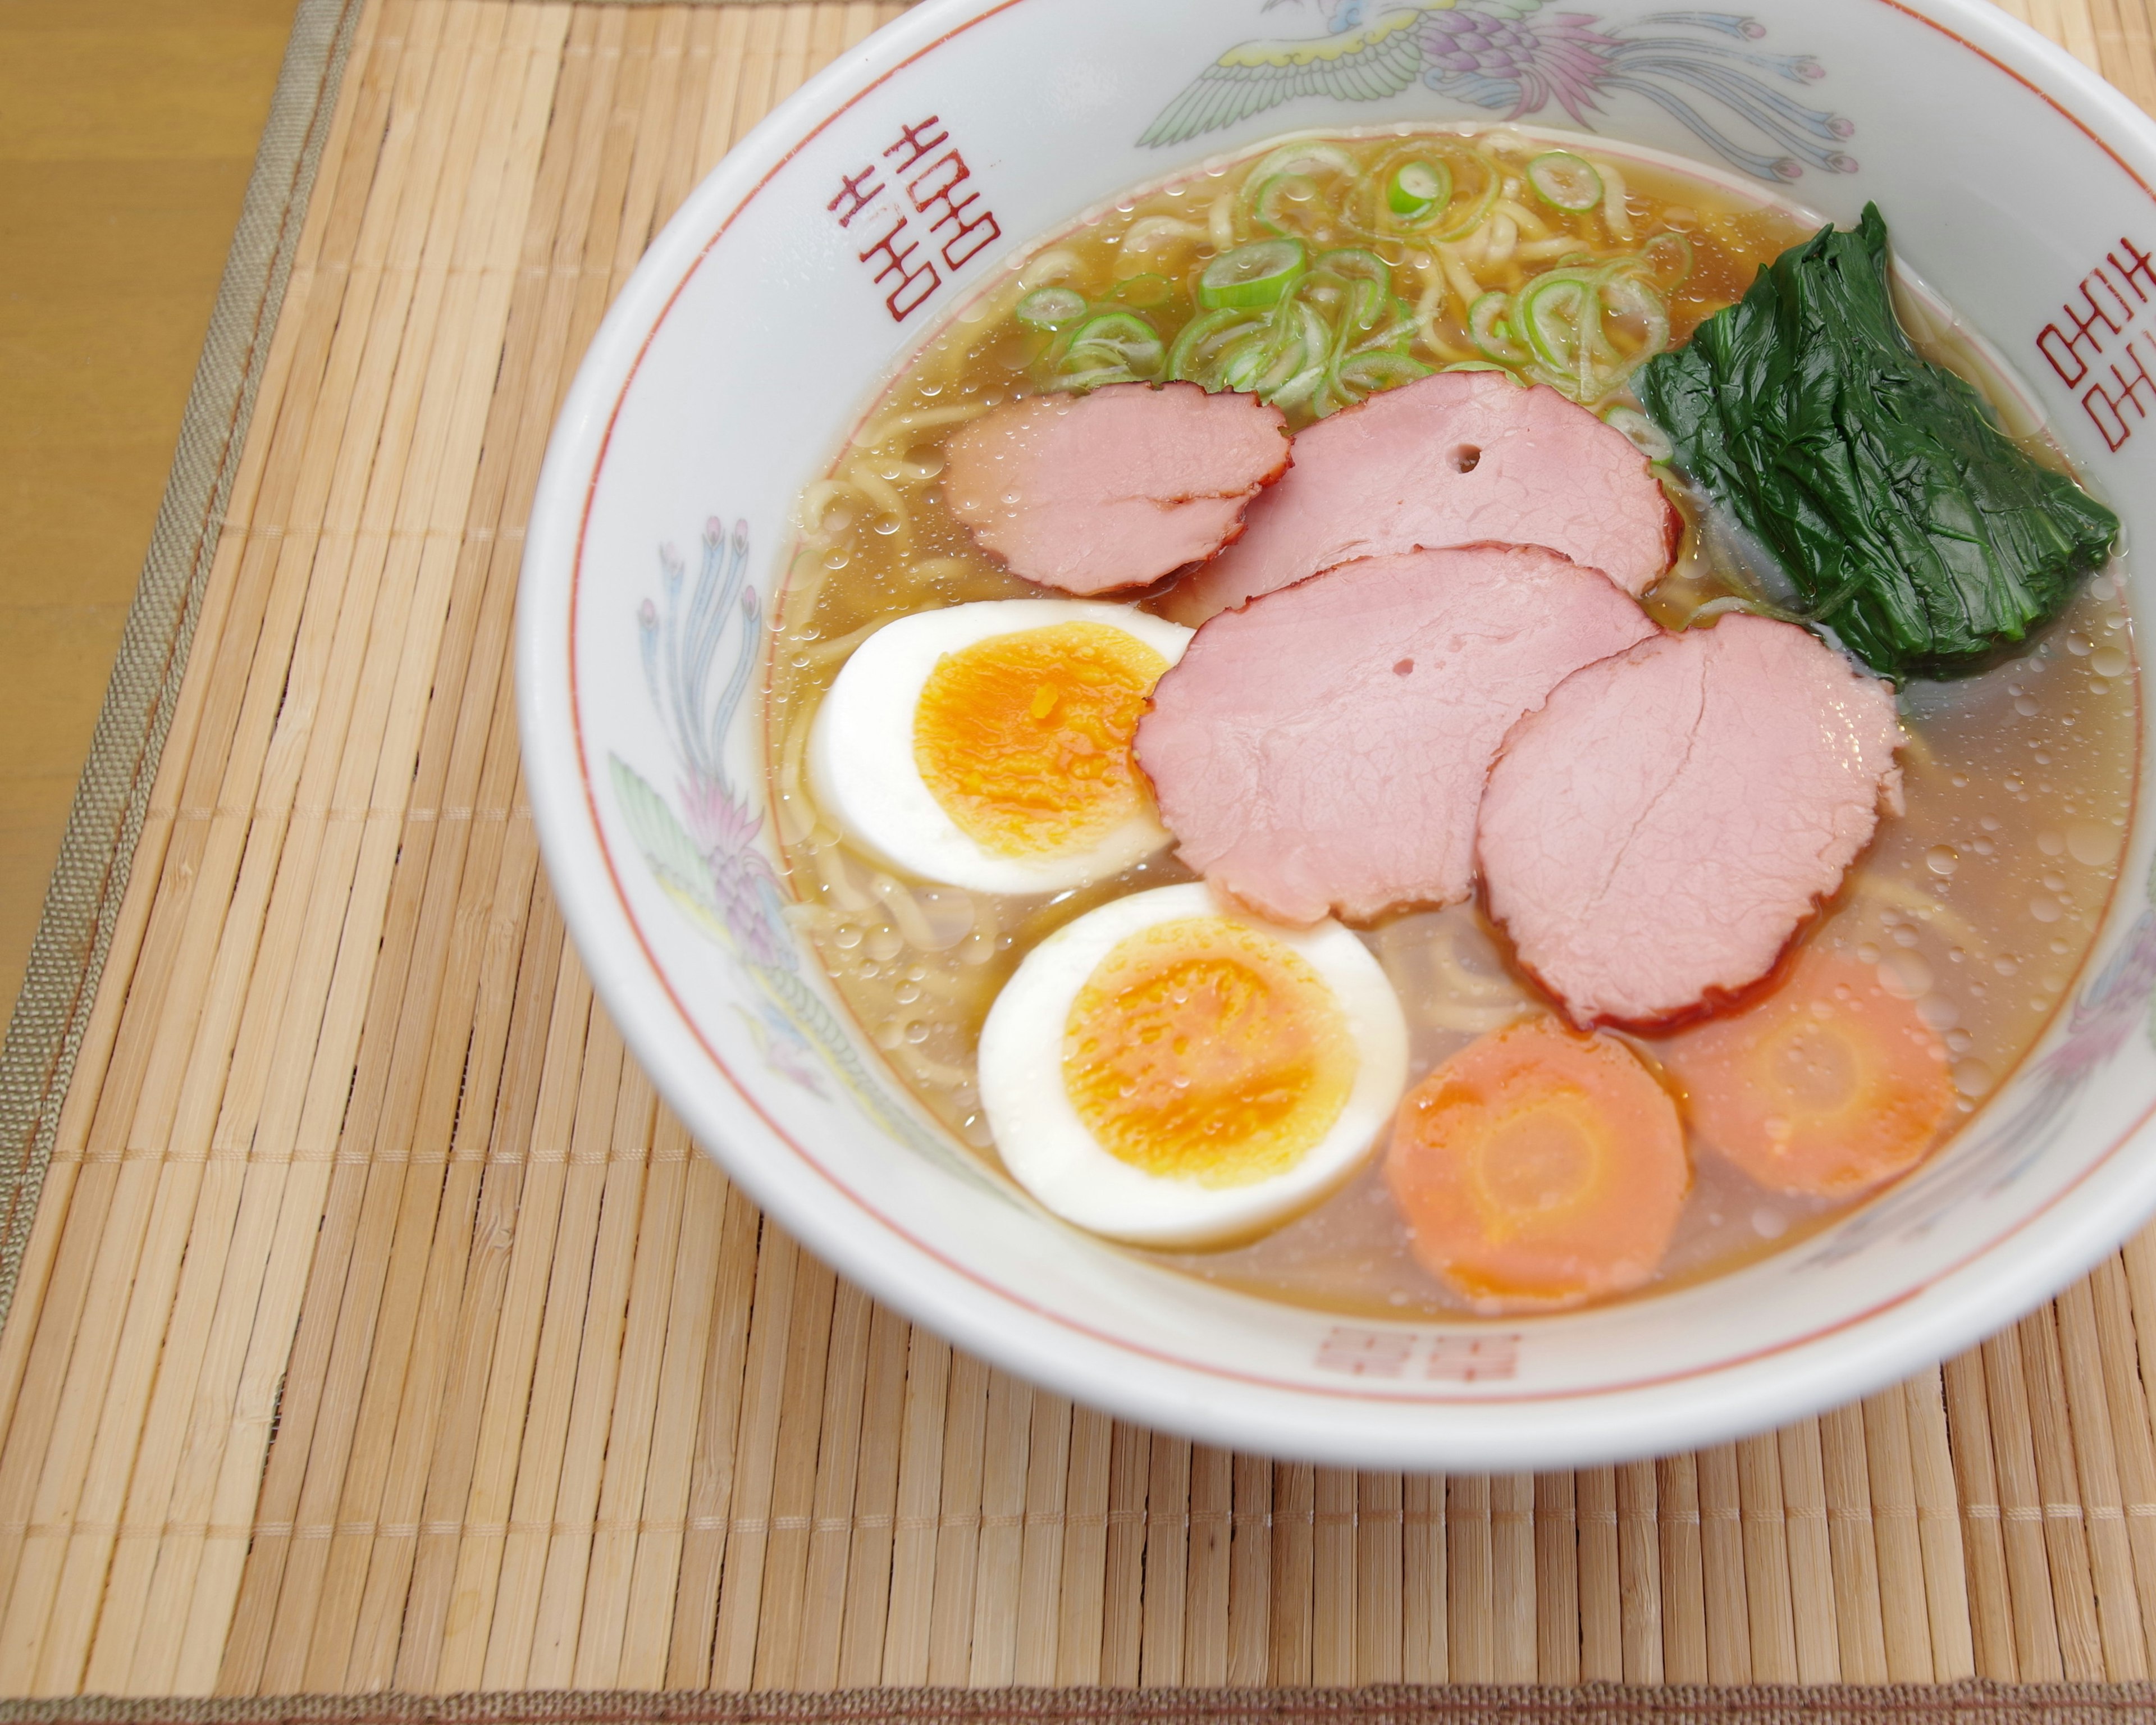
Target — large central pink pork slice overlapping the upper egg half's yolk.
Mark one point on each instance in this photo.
(1327, 747)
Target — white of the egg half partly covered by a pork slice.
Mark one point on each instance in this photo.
(861, 749)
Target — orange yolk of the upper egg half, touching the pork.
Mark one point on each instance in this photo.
(1025, 739)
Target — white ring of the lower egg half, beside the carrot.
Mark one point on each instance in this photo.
(1049, 1148)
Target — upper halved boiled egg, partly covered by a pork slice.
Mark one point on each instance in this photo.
(989, 745)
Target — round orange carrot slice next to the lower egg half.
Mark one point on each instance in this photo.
(1540, 1170)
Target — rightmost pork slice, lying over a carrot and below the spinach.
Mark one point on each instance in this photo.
(1659, 831)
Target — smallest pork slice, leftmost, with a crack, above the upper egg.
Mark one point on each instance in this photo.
(1116, 488)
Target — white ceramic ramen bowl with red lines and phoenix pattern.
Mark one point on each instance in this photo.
(756, 333)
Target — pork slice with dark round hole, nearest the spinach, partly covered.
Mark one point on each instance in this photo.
(1450, 460)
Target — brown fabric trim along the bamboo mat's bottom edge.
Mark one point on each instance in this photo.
(1381, 1705)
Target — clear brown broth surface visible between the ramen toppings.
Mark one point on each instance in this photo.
(1980, 902)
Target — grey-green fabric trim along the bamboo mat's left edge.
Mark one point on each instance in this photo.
(83, 900)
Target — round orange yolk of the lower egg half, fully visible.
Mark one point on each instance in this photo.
(1208, 1051)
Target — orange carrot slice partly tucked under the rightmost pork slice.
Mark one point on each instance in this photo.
(1827, 1088)
